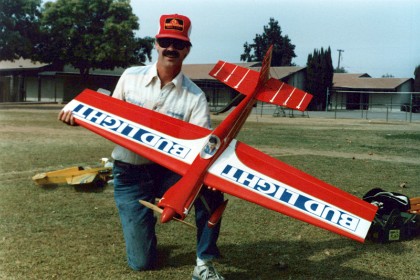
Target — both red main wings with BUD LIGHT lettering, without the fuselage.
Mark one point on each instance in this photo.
(241, 171)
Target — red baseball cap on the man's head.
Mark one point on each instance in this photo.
(174, 26)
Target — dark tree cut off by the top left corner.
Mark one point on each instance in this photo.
(19, 25)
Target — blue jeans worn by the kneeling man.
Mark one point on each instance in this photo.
(146, 182)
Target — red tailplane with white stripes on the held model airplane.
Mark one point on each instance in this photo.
(274, 91)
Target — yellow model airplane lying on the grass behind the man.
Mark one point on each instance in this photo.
(75, 176)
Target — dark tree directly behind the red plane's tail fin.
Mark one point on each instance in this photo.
(283, 49)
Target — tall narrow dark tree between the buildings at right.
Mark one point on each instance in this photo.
(320, 72)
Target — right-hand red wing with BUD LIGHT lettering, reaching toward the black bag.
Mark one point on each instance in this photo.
(251, 175)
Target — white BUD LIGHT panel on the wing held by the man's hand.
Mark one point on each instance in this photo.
(130, 130)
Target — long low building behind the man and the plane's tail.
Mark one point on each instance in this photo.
(40, 83)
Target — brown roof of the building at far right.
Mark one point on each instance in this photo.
(364, 81)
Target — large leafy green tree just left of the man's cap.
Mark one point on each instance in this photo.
(90, 34)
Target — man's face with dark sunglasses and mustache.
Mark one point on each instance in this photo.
(172, 51)
